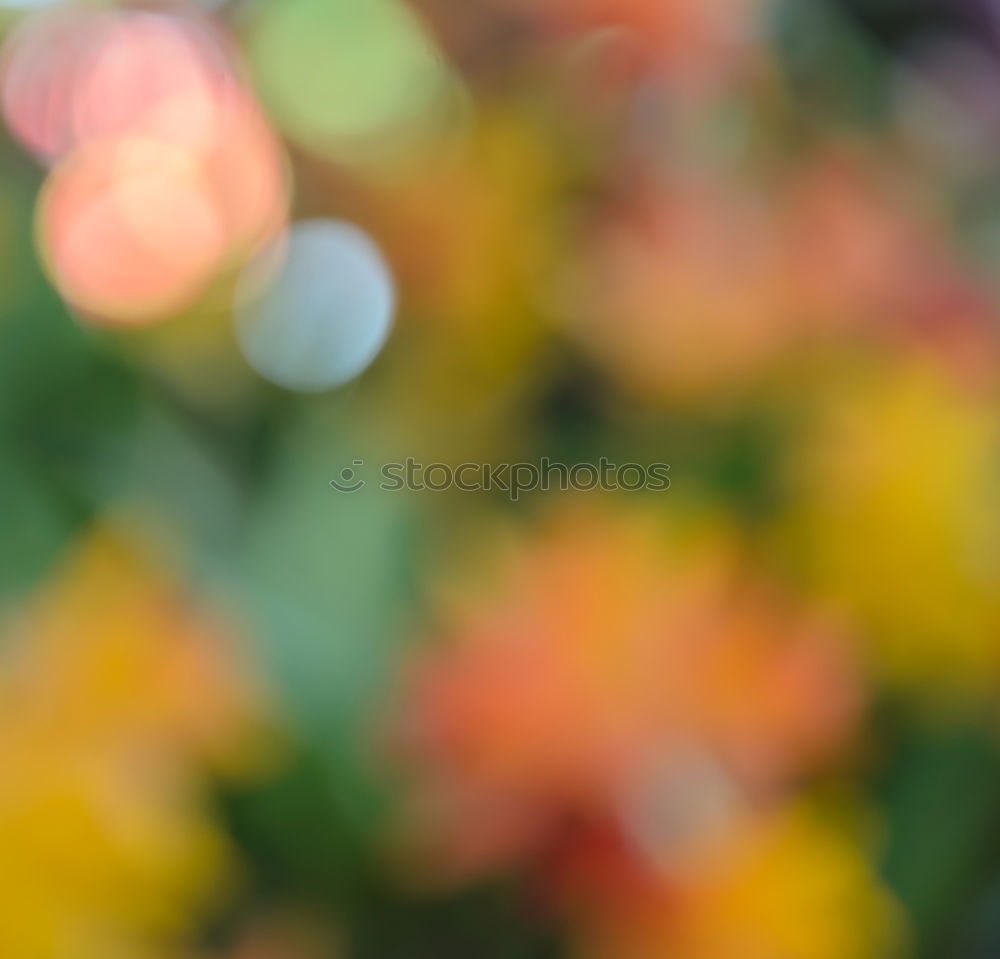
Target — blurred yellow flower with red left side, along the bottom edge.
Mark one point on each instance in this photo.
(786, 886)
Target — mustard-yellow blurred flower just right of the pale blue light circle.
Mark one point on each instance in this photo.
(481, 201)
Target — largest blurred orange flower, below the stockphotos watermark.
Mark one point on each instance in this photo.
(606, 669)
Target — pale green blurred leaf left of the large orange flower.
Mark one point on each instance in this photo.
(324, 576)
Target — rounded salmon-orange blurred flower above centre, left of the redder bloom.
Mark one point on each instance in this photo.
(681, 289)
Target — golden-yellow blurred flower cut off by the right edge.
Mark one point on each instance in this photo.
(895, 519)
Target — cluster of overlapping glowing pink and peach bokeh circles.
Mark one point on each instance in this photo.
(165, 167)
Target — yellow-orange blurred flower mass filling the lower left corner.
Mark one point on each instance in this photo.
(114, 691)
